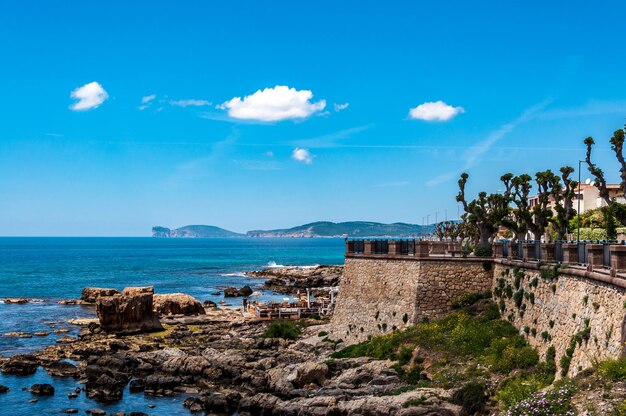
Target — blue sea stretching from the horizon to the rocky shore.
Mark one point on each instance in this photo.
(48, 269)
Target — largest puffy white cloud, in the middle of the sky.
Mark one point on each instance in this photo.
(273, 104)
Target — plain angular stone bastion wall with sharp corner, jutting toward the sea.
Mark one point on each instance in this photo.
(378, 295)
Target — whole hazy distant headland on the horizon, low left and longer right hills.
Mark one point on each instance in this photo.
(319, 229)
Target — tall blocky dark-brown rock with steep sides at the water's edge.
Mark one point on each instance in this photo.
(130, 312)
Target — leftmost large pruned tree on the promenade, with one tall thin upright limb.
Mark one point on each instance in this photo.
(486, 212)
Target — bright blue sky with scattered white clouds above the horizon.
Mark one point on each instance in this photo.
(119, 116)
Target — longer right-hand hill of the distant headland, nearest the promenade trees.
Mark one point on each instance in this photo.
(347, 229)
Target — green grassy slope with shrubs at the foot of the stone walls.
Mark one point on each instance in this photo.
(470, 345)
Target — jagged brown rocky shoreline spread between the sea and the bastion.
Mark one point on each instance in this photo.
(224, 362)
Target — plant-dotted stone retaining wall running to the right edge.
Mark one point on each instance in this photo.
(551, 310)
